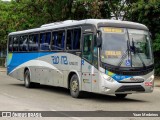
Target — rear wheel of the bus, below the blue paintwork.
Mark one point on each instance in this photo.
(27, 82)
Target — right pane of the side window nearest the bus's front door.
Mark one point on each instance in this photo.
(76, 41)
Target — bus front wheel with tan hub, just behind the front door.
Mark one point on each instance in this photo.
(74, 87)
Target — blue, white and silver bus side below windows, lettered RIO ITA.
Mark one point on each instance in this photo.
(44, 67)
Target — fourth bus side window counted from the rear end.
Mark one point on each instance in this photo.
(33, 42)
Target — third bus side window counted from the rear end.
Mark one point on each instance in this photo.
(23, 43)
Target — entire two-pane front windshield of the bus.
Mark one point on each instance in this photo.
(126, 47)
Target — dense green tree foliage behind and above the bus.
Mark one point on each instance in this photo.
(25, 14)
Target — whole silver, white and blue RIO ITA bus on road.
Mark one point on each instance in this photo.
(99, 56)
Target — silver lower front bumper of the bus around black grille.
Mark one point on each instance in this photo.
(114, 87)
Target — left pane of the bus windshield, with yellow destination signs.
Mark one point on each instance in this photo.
(114, 46)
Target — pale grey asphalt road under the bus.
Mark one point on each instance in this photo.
(15, 97)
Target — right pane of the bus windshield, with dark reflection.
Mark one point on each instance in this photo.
(140, 48)
